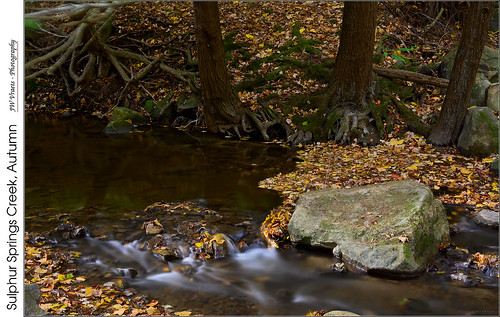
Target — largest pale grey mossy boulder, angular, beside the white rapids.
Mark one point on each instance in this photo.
(392, 228)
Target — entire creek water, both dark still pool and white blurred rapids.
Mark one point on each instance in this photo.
(104, 183)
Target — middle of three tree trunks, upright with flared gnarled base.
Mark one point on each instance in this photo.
(349, 93)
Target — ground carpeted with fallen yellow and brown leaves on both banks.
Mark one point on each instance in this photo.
(264, 27)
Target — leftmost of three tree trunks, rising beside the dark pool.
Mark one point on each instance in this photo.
(220, 104)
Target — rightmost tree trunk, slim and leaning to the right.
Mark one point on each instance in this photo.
(451, 118)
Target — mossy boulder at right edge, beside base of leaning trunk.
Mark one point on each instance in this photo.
(479, 136)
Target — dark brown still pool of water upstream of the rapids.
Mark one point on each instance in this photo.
(71, 166)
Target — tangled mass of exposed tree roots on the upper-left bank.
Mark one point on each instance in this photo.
(84, 54)
